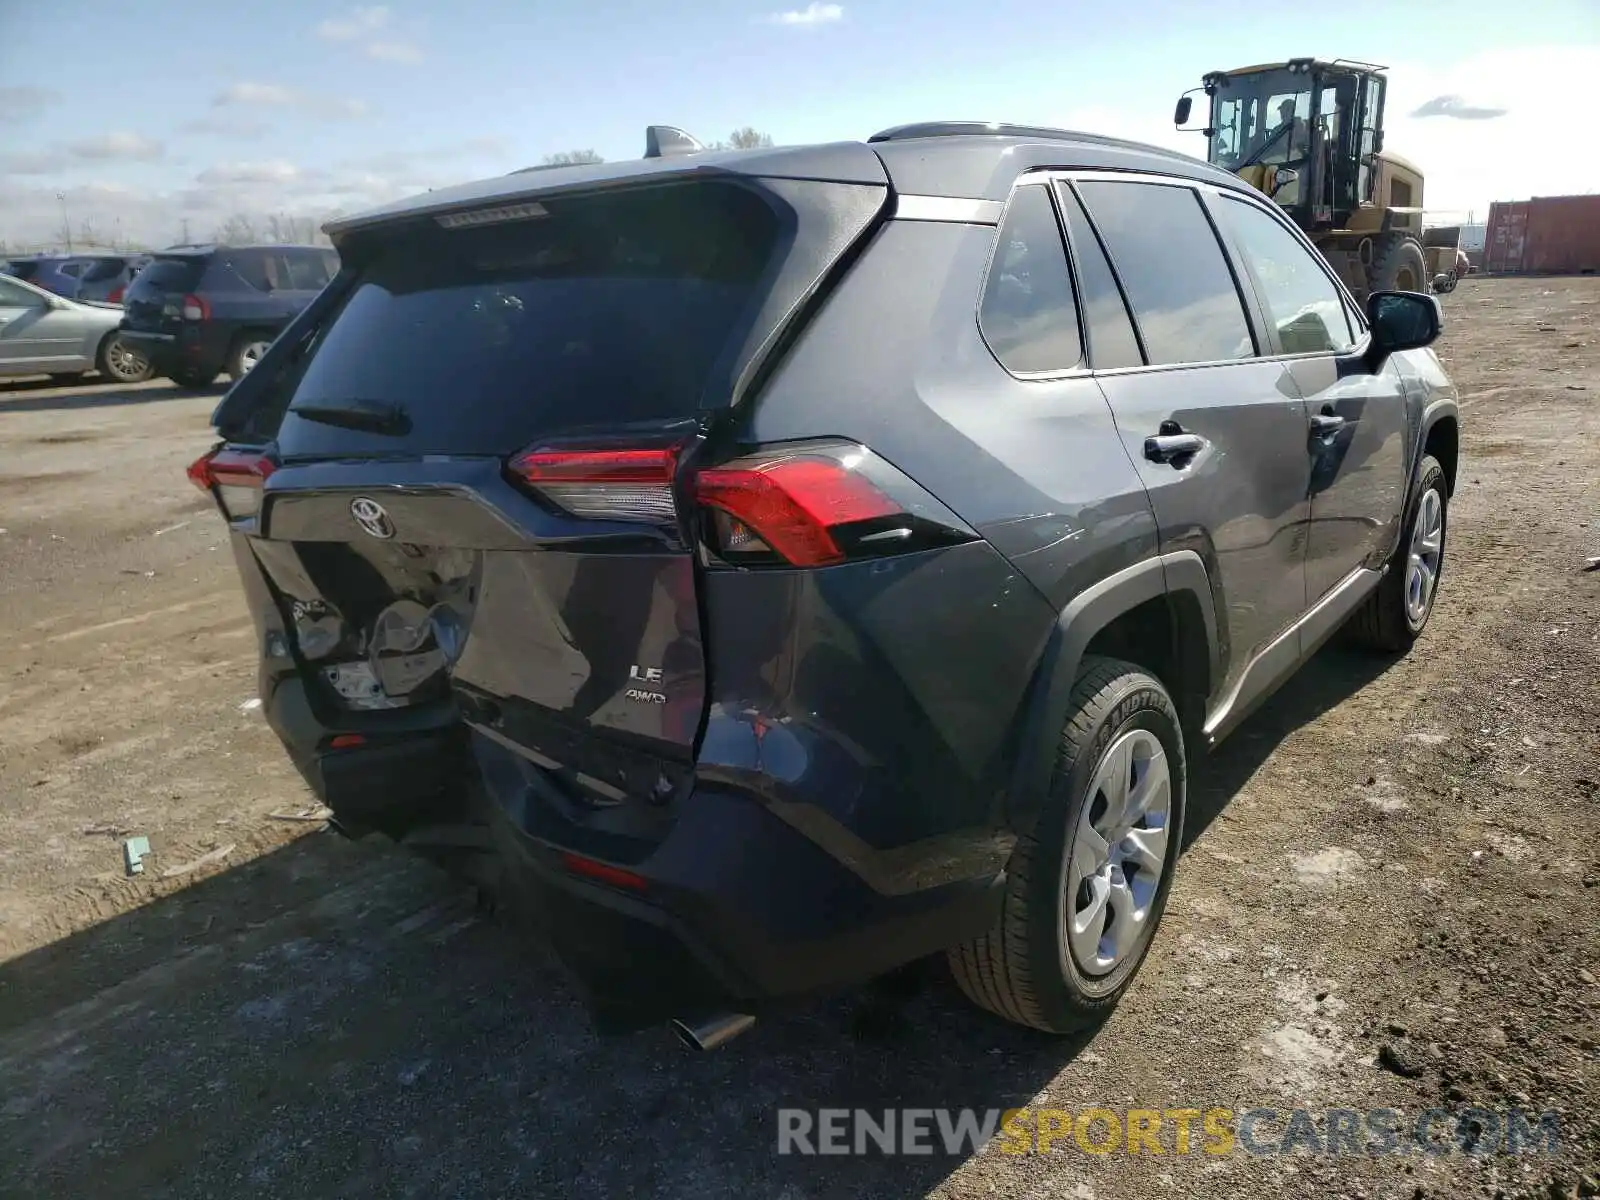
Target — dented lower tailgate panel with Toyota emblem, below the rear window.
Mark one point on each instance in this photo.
(402, 585)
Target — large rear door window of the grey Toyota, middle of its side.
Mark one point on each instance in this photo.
(1174, 271)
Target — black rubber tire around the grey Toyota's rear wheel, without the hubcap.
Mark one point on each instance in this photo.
(1022, 969)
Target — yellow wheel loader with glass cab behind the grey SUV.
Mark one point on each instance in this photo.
(1311, 135)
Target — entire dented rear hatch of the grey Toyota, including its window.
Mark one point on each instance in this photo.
(473, 454)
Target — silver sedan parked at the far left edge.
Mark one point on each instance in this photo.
(42, 334)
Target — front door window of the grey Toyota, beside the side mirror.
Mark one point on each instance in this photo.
(1302, 300)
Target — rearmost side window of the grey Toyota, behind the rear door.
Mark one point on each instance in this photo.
(1028, 313)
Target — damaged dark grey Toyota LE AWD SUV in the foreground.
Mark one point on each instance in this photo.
(820, 558)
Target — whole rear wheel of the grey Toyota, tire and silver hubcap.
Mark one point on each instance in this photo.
(1087, 889)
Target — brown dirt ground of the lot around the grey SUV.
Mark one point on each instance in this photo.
(1391, 898)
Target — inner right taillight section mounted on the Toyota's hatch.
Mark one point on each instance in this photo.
(633, 486)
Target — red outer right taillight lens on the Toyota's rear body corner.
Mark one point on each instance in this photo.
(793, 505)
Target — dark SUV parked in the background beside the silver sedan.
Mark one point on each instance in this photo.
(199, 311)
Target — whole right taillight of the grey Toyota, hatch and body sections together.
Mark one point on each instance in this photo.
(796, 505)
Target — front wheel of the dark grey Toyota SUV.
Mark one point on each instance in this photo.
(1398, 610)
